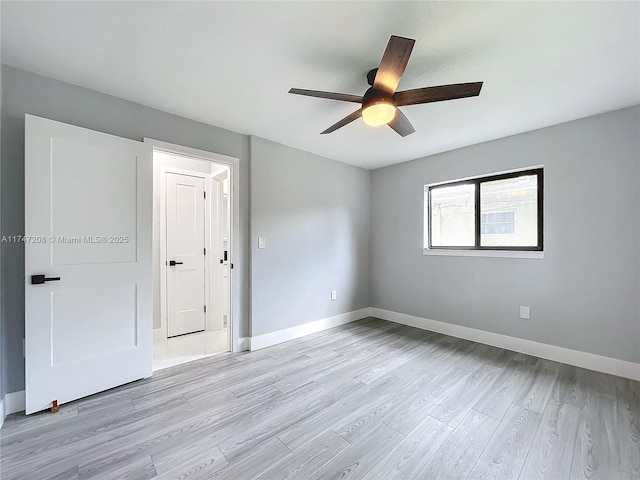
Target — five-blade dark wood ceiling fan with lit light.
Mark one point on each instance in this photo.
(381, 101)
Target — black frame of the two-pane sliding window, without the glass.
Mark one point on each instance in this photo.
(477, 181)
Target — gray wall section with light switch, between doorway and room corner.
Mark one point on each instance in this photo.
(315, 216)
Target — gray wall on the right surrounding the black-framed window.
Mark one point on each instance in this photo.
(584, 294)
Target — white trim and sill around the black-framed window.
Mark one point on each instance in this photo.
(476, 253)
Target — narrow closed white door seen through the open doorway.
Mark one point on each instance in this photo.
(185, 254)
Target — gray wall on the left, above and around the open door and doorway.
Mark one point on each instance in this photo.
(28, 93)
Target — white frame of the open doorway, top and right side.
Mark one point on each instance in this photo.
(233, 164)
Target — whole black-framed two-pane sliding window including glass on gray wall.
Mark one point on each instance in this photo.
(497, 212)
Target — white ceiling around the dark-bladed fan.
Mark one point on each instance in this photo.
(231, 64)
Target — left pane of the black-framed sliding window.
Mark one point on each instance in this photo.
(452, 216)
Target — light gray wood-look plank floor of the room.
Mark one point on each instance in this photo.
(369, 400)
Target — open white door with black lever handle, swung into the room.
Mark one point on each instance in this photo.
(88, 309)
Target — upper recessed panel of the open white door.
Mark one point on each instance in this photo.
(108, 192)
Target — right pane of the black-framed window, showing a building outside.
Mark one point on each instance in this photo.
(509, 212)
